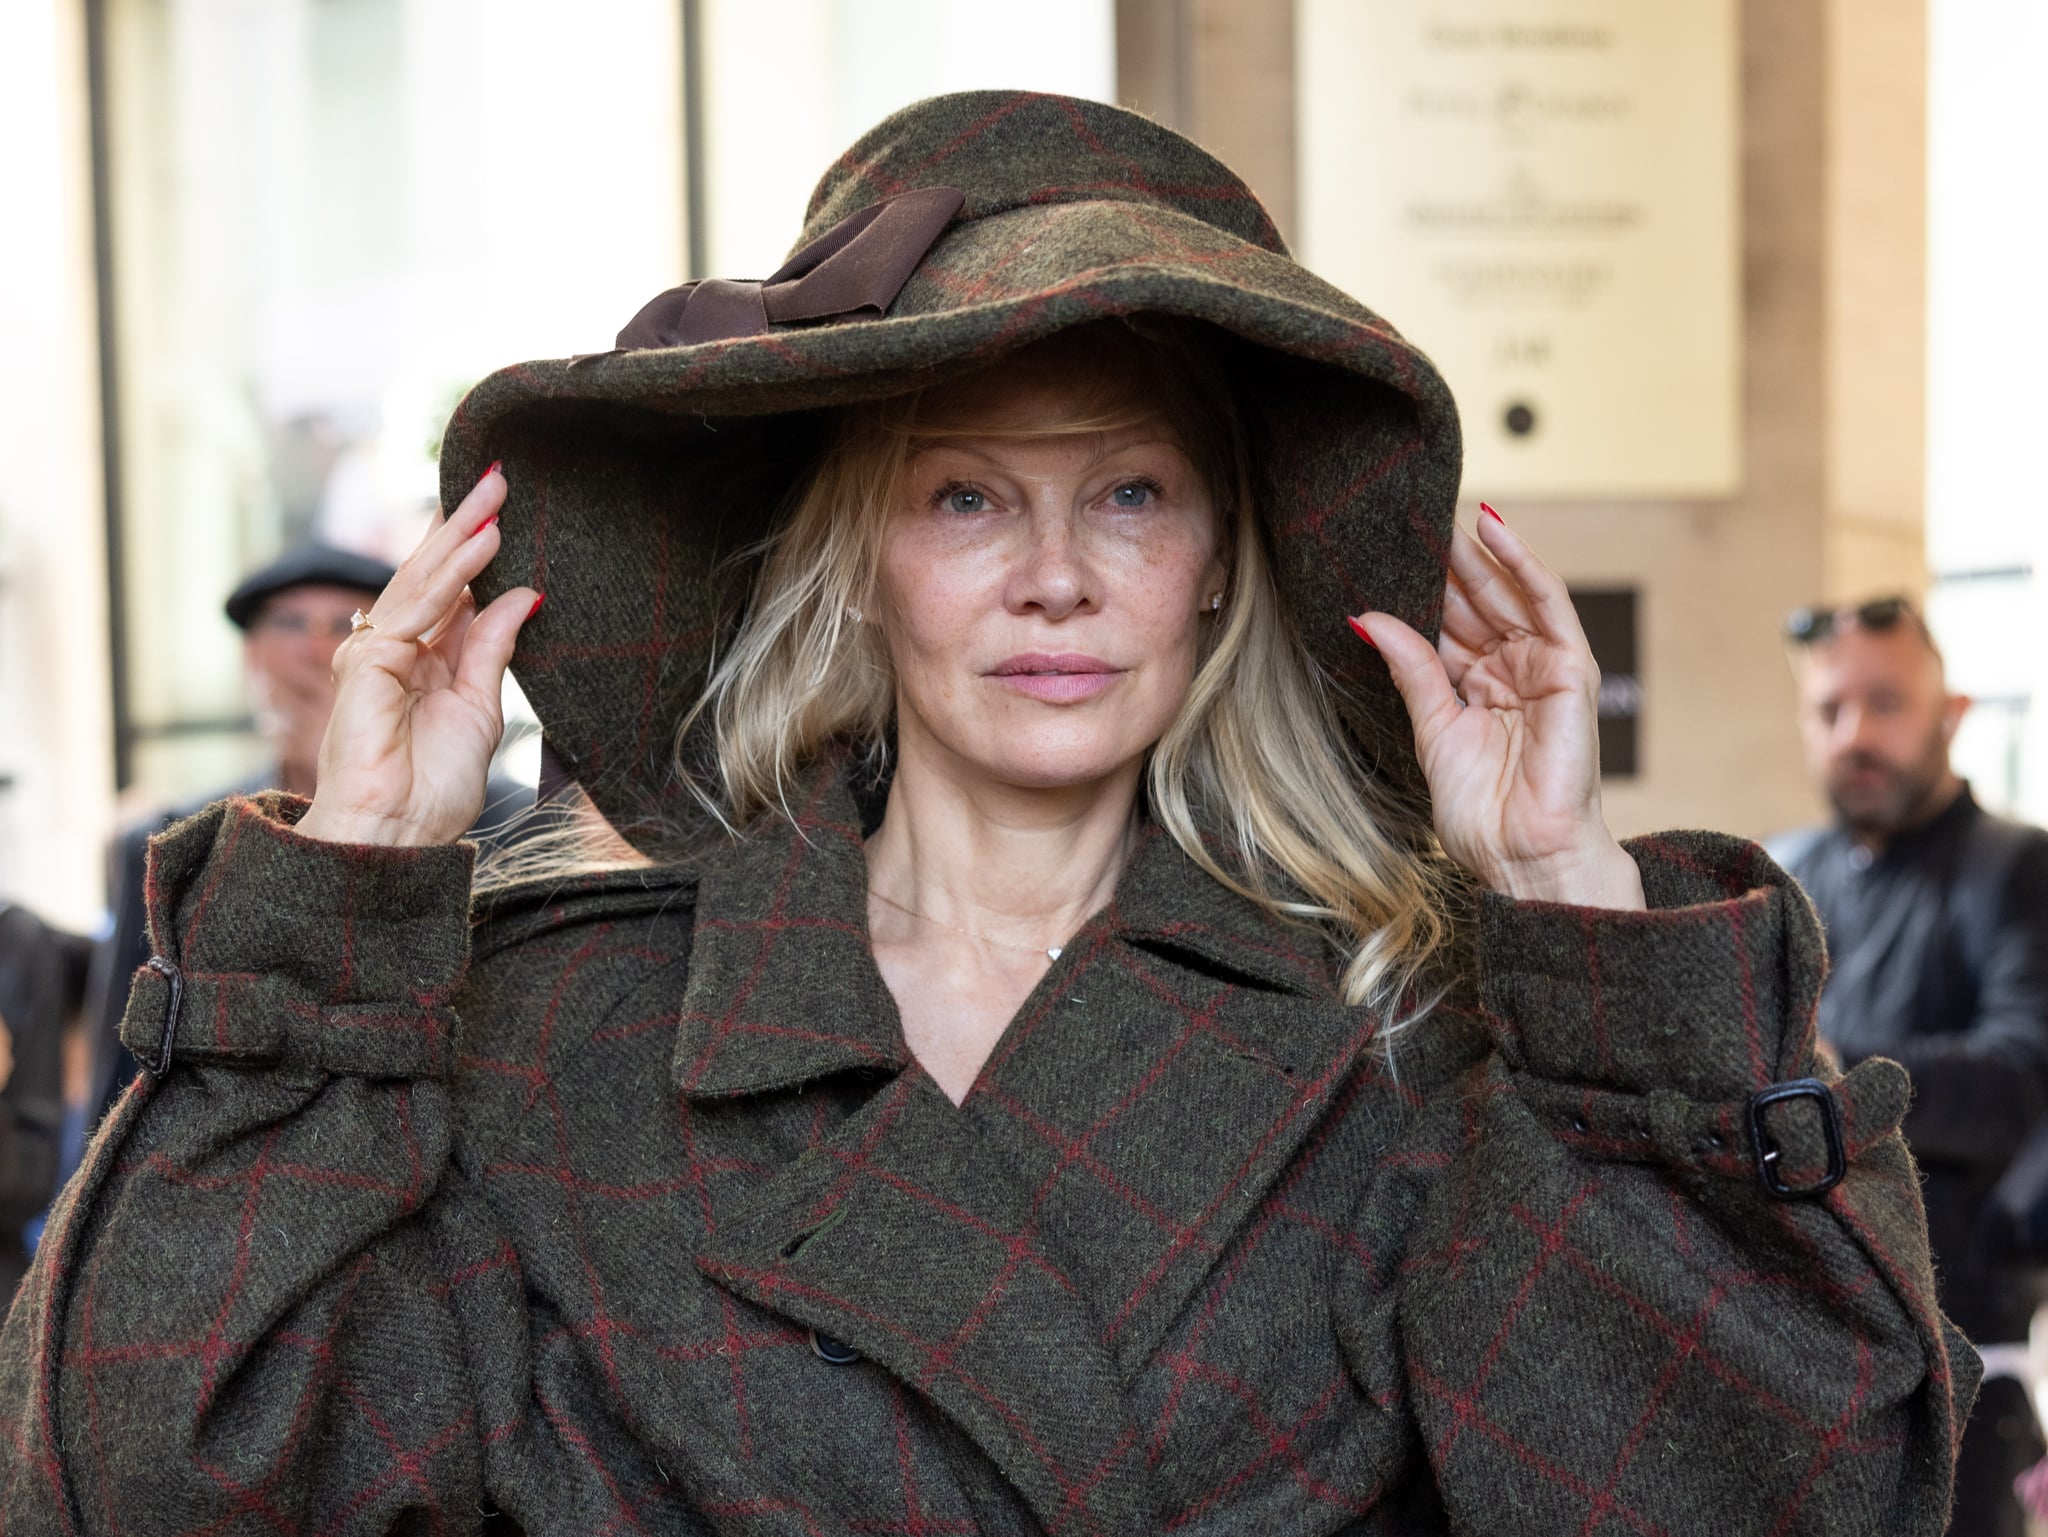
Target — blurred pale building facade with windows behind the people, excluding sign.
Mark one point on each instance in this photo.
(265, 245)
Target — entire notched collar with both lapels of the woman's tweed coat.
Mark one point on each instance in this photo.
(1015, 1259)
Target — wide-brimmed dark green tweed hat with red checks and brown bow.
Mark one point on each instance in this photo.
(955, 231)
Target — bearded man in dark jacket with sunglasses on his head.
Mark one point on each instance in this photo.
(1936, 921)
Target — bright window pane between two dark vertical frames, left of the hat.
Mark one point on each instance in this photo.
(329, 220)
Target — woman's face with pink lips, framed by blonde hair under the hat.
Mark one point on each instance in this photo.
(1043, 599)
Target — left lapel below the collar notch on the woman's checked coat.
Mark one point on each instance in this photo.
(902, 1237)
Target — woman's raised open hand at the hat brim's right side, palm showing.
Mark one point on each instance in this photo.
(1506, 714)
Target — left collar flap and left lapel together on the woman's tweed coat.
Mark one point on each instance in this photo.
(898, 1231)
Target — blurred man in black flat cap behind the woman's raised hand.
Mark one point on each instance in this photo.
(292, 614)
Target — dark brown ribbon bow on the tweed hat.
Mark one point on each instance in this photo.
(851, 272)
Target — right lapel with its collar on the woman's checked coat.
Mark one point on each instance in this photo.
(1164, 1087)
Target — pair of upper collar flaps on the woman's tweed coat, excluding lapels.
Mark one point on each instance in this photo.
(783, 985)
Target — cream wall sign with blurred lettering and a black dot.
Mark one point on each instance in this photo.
(1543, 196)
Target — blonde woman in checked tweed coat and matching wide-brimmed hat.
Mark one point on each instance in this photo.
(1078, 1091)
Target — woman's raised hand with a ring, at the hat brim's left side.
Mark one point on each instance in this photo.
(417, 714)
